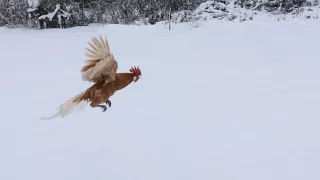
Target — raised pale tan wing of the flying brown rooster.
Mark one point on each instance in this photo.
(101, 64)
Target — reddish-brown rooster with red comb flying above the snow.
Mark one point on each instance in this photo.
(101, 69)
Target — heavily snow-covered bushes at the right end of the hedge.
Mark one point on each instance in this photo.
(246, 10)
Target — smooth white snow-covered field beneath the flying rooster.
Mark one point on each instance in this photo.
(224, 101)
